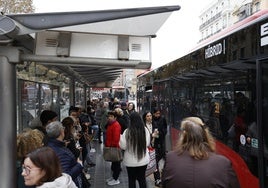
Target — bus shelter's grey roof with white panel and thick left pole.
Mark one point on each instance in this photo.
(90, 47)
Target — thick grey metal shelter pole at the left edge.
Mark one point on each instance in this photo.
(8, 124)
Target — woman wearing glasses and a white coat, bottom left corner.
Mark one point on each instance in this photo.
(41, 168)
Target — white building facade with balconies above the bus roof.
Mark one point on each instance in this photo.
(221, 14)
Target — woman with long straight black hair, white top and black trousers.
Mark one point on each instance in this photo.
(135, 141)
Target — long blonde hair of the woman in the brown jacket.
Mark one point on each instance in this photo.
(195, 138)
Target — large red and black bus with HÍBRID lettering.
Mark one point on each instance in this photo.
(225, 78)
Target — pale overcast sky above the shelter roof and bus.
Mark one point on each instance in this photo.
(175, 38)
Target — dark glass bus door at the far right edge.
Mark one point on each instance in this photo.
(262, 120)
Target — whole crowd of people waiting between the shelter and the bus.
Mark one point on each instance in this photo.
(57, 154)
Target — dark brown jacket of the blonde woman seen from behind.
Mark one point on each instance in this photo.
(184, 171)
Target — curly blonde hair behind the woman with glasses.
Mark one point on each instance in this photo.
(28, 141)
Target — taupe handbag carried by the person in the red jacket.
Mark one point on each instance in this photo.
(112, 154)
